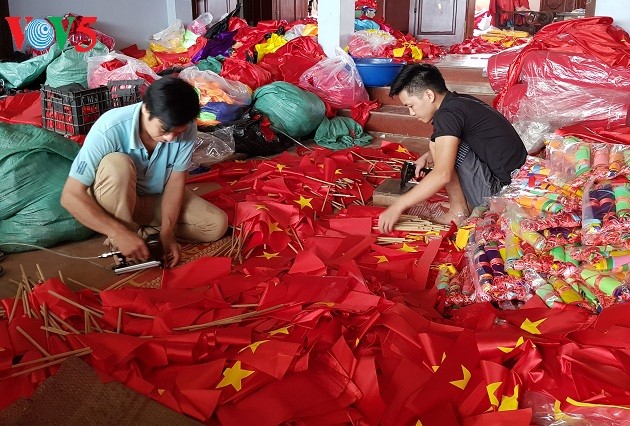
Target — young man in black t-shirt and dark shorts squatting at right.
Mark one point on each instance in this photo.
(473, 148)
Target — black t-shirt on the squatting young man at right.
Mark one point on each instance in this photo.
(484, 129)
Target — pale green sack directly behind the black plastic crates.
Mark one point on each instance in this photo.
(71, 66)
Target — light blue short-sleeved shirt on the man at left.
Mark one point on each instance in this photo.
(118, 131)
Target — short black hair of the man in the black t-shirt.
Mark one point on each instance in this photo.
(416, 78)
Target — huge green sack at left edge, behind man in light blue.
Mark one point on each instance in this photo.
(34, 165)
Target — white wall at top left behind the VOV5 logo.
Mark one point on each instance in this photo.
(128, 21)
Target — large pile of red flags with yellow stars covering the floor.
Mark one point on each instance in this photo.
(314, 322)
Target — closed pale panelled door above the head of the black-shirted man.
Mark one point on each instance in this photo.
(440, 21)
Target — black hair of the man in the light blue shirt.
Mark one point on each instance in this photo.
(173, 101)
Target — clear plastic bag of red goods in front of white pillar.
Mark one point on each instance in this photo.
(336, 81)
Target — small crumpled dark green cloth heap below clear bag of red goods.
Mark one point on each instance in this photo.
(340, 133)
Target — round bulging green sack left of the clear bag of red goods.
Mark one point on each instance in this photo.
(290, 109)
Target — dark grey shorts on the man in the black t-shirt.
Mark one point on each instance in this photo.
(477, 180)
